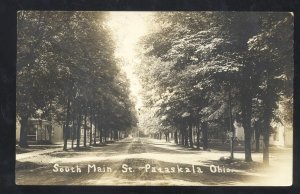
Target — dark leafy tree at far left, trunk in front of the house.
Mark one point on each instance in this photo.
(35, 80)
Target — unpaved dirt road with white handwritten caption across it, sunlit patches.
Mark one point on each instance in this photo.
(137, 161)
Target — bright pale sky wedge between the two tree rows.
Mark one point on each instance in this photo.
(128, 28)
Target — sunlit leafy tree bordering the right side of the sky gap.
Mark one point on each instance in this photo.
(187, 42)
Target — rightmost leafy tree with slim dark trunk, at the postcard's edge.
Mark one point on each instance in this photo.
(272, 51)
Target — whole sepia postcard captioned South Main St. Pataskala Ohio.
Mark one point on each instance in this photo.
(154, 98)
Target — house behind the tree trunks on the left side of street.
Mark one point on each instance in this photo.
(41, 132)
